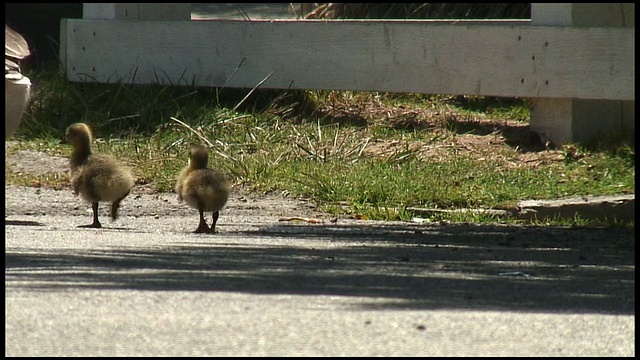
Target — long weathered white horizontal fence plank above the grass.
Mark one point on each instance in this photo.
(396, 56)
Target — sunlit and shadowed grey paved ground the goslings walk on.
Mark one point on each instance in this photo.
(263, 287)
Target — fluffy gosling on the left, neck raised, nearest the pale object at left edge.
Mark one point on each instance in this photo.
(96, 177)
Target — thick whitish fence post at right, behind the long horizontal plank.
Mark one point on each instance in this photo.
(559, 121)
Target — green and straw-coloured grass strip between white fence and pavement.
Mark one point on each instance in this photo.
(371, 155)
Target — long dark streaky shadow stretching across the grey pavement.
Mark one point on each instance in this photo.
(413, 267)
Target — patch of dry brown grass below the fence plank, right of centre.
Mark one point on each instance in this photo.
(452, 132)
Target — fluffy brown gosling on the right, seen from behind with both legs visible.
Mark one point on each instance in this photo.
(203, 188)
